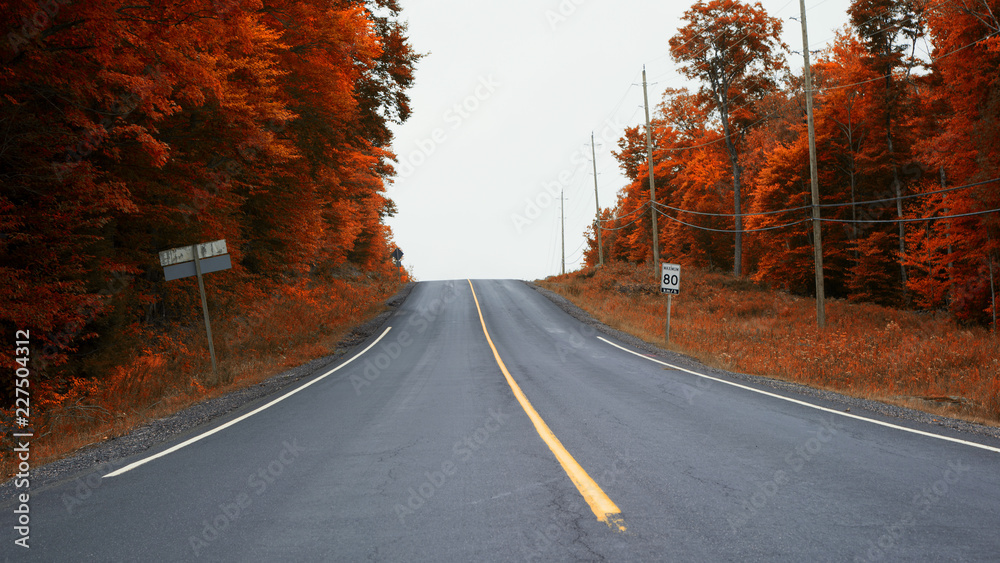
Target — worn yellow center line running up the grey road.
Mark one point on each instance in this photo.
(604, 508)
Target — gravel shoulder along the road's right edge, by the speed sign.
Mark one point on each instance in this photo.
(845, 403)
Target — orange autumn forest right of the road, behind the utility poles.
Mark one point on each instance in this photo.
(906, 106)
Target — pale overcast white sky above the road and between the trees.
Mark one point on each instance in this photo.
(504, 105)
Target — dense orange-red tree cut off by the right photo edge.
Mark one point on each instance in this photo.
(955, 259)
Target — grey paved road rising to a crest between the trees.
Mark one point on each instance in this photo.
(419, 450)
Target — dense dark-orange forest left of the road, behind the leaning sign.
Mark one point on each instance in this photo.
(128, 129)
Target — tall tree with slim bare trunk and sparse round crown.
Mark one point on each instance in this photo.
(735, 51)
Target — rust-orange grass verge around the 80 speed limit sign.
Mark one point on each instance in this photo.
(918, 360)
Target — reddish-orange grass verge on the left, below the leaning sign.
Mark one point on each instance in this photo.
(171, 371)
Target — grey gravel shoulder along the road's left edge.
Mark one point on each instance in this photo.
(104, 457)
